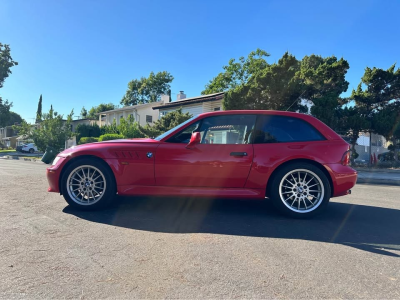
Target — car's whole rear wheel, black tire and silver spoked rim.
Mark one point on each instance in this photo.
(300, 190)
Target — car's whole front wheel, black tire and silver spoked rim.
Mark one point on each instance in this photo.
(88, 185)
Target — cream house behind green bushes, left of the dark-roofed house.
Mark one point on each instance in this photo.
(142, 113)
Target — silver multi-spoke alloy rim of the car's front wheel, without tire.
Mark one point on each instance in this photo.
(86, 185)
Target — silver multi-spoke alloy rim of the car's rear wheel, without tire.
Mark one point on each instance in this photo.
(301, 190)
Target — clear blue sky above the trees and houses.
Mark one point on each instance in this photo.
(84, 52)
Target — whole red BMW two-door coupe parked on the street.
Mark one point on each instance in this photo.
(293, 159)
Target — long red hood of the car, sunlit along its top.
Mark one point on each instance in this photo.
(101, 146)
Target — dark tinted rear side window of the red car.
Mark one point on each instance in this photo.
(281, 129)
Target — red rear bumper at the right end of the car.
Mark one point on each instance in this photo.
(343, 178)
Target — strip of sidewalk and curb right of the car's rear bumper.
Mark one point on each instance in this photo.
(373, 176)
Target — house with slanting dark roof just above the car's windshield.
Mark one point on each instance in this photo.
(194, 106)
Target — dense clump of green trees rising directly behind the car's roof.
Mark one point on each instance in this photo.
(252, 83)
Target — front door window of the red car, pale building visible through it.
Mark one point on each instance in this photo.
(226, 129)
